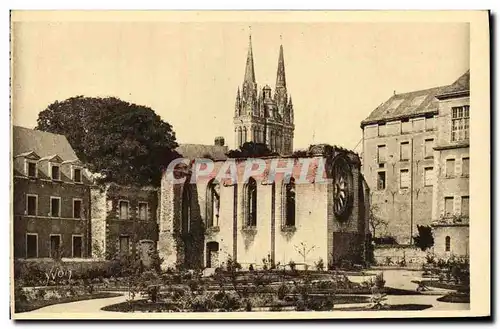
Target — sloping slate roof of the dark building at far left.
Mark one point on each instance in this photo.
(44, 144)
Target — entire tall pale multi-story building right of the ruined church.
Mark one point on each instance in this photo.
(416, 161)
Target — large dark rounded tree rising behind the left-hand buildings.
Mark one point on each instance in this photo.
(127, 143)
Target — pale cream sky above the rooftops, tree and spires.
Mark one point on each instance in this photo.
(188, 73)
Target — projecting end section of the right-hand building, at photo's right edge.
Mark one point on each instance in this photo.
(451, 157)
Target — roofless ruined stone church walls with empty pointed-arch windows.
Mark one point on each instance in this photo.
(189, 238)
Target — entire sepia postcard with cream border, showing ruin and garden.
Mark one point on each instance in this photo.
(249, 165)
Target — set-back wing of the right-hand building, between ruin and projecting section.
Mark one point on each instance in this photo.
(398, 161)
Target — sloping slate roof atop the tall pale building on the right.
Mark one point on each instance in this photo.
(414, 103)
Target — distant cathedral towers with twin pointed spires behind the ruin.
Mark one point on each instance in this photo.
(260, 116)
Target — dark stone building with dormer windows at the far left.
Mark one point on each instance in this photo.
(51, 197)
